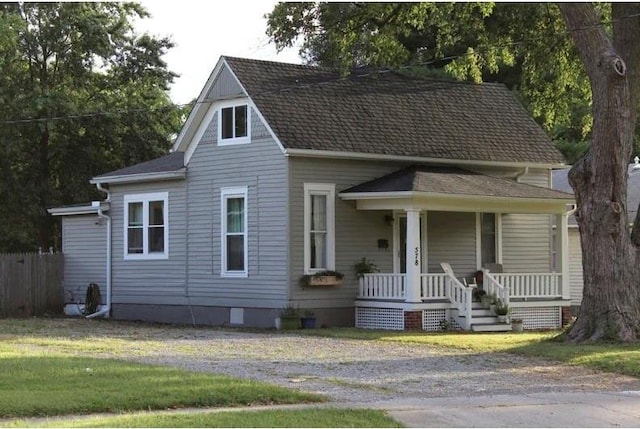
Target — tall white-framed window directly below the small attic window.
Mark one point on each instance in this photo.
(234, 231)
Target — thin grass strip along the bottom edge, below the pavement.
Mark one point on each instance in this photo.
(317, 417)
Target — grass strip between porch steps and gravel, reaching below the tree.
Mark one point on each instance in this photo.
(614, 357)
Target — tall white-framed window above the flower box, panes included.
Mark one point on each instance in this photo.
(319, 227)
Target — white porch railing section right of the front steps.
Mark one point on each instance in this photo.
(530, 285)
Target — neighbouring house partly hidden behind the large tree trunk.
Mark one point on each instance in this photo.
(561, 183)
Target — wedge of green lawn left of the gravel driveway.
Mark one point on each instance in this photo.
(45, 384)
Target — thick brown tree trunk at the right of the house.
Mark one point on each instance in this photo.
(611, 301)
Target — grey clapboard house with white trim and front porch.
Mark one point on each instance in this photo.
(283, 170)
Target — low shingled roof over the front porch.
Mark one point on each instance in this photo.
(449, 180)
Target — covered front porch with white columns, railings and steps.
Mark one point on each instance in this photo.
(449, 226)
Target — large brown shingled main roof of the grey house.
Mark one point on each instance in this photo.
(387, 113)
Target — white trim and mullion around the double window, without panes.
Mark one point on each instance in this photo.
(145, 199)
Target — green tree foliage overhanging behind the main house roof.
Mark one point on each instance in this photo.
(524, 45)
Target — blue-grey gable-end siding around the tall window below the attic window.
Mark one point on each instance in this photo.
(261, 166)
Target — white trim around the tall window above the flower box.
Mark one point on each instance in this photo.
(328, 189)
